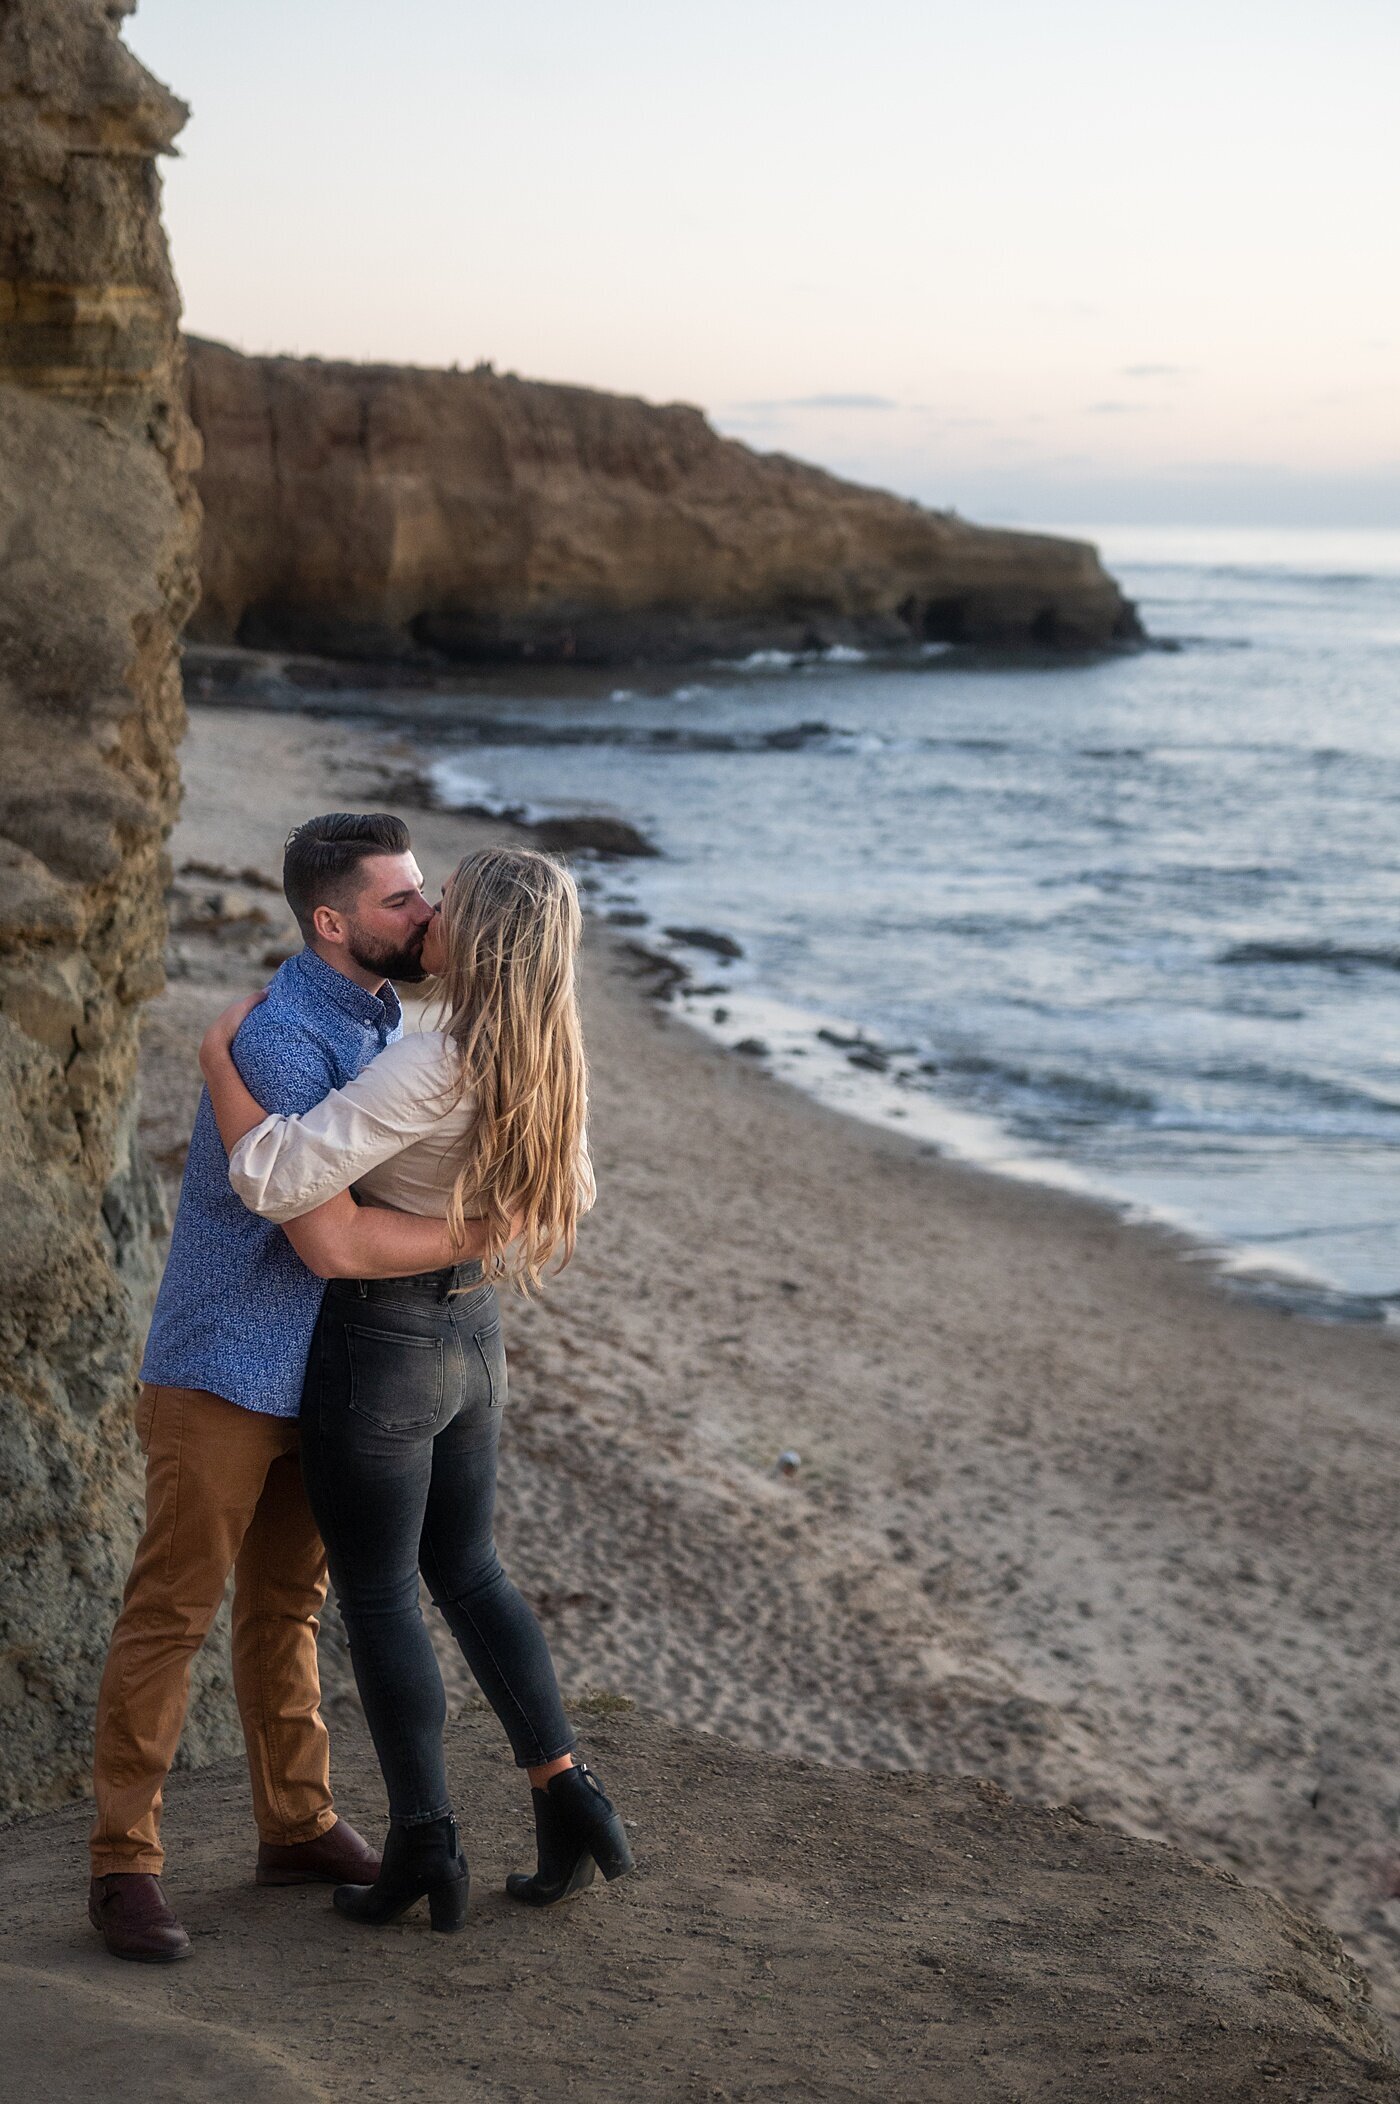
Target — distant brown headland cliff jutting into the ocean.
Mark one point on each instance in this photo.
(382, 510)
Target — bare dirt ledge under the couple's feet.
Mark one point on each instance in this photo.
(793, 1933)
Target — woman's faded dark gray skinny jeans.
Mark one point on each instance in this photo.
(401, 1421)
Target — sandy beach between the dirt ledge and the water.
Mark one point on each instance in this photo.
(1068, 1514)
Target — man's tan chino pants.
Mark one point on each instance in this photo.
(222, 1495)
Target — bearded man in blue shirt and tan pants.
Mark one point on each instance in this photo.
(218, 1413)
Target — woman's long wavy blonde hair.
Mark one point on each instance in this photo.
(511, 939)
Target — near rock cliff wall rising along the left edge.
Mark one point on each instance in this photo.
(98, 575)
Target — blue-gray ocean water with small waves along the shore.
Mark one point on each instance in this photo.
(1129, 925)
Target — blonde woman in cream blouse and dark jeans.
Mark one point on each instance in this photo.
(479, 1122)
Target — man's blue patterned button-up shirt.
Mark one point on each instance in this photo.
(237, 1306)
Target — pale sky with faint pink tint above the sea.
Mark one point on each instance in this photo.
(1060, 262)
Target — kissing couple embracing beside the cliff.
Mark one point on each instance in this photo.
(325, 1379)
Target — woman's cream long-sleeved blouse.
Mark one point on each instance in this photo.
(395, 1135)
